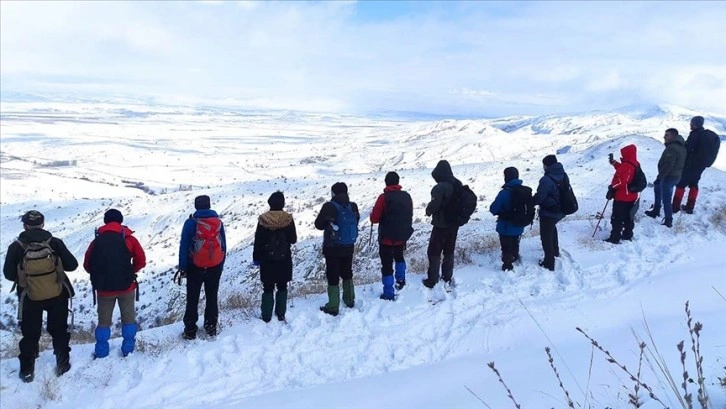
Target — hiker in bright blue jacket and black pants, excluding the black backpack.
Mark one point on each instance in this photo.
(509, 233)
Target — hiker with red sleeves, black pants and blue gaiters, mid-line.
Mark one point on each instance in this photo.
(393, 212)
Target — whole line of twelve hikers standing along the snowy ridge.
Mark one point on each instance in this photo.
(37, 261)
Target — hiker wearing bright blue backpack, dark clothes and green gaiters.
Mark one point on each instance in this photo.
(338, 219)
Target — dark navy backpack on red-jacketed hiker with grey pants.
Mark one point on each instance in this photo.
(110, 262)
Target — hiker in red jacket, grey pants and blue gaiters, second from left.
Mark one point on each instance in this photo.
(113, 259)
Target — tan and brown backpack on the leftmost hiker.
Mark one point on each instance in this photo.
(39, 271)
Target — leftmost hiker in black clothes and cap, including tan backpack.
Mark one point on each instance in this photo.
(52, 297)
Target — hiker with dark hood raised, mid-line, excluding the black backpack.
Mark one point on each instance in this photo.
(445, 228)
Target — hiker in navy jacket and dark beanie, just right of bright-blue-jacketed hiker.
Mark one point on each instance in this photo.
(548, 200)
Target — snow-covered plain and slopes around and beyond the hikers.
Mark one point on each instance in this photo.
(73, 161)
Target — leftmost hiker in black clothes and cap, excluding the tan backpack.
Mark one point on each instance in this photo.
(31, 311)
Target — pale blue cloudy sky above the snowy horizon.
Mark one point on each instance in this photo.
(449, 58)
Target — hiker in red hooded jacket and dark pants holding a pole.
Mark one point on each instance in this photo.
(624, 200)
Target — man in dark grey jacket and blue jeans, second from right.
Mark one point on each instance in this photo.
(670, 168)
